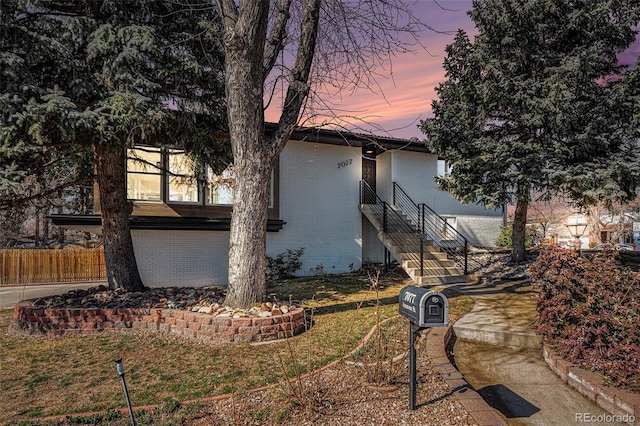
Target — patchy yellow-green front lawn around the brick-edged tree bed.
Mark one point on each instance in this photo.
(43, 377)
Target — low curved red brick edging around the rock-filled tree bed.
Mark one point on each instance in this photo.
(191, 325)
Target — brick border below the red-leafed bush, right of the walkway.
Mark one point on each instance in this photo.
(618, 402)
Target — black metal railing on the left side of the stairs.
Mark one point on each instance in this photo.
(403, 235)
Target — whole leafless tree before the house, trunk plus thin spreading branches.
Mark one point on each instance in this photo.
(310, 45)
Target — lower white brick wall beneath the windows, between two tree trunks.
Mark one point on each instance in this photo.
(181, 258)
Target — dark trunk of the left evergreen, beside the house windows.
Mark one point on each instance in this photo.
(122, 269)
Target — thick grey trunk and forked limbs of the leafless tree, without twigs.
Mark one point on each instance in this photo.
(246, 67)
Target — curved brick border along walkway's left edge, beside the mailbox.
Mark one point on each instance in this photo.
(437, 340)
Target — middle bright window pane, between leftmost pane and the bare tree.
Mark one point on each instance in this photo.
(183, 184)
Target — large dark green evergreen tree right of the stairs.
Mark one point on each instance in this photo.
(539, 103)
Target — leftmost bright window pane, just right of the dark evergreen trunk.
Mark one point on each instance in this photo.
(144, 177)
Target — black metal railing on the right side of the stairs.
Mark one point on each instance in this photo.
(435, 227)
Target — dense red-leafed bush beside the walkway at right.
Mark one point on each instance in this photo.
(589, 310)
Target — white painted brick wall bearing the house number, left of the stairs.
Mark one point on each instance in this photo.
(319, 203)
